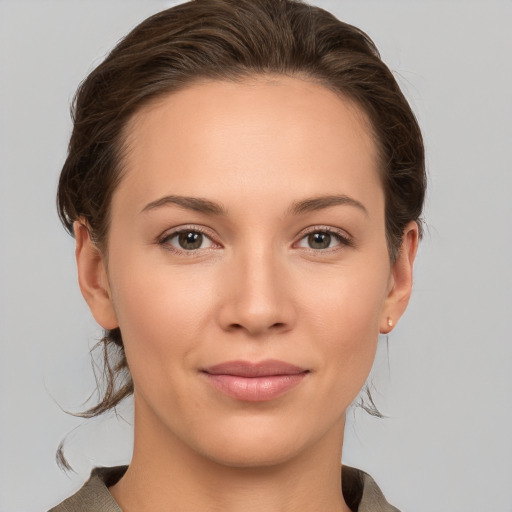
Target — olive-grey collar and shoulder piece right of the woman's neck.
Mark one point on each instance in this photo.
(362, 493)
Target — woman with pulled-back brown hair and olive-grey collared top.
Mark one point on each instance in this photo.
(244, 182)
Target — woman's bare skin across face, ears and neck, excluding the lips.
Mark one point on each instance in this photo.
(254, 290)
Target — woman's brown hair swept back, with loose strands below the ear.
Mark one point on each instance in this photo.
(229, 40)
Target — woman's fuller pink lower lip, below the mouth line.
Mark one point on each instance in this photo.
(255, 389)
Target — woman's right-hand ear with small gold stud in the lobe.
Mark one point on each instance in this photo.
(401, 279)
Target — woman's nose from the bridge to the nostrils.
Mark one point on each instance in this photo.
(257, 295)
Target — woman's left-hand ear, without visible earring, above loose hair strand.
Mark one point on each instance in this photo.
(92, 277)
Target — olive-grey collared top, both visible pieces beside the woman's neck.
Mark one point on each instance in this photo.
(359, 489)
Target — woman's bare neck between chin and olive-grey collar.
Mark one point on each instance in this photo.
(165, 474)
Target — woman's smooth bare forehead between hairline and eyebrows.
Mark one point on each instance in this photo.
(255, 137)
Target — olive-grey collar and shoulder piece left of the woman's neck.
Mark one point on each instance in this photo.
(94, 495)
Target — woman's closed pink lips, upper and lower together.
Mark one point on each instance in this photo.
(255, 382)
